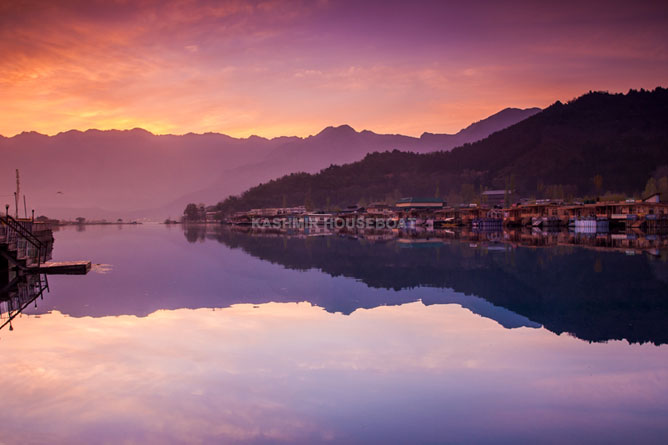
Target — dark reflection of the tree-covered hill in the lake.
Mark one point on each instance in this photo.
(592, 294)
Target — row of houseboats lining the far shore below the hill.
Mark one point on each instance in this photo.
(646, 214)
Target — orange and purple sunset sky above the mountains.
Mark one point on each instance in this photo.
(276, 67)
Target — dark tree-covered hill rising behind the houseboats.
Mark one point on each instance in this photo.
(596, 143)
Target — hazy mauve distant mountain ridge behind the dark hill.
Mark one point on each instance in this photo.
(134, 173)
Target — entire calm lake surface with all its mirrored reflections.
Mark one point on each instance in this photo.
(222, 337)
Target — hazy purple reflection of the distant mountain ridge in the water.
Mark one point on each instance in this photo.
(147, 269)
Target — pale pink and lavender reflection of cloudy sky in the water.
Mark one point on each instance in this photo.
(296, 373)
